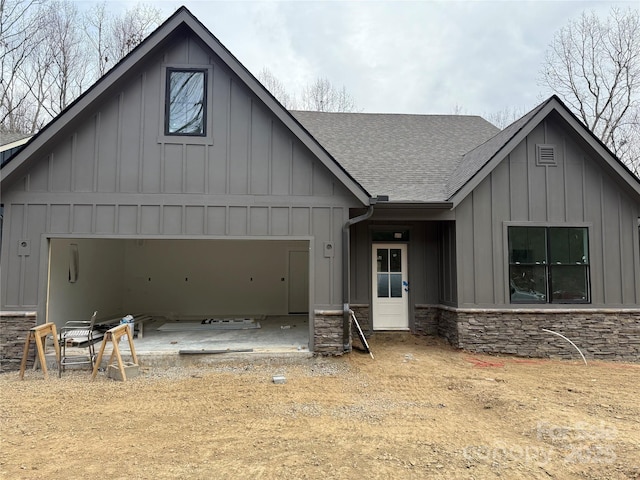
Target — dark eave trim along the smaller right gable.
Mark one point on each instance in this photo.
(554, 104)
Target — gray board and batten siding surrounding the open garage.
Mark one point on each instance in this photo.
(109, 172)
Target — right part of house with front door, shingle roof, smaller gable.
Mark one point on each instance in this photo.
(534, 229)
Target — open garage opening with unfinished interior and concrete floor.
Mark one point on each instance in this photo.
(209, 295)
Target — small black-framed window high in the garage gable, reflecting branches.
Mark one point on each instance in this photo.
(186, 100)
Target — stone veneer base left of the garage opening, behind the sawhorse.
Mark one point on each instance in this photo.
(14, 328)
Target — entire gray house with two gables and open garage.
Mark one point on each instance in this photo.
(177, 185)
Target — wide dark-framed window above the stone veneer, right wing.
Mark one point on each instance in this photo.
(549, 265)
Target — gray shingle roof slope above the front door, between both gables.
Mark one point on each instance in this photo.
(410, 158)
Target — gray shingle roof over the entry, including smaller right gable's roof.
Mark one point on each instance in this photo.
(436, 158)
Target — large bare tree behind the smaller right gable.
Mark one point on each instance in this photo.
(593, 64)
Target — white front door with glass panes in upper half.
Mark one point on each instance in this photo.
(390, 287)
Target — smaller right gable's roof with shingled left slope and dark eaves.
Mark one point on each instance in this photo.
(477, 164)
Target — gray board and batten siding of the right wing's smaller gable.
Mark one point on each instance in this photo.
(576, 191)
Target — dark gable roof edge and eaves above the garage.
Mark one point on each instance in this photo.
(180, 19)
